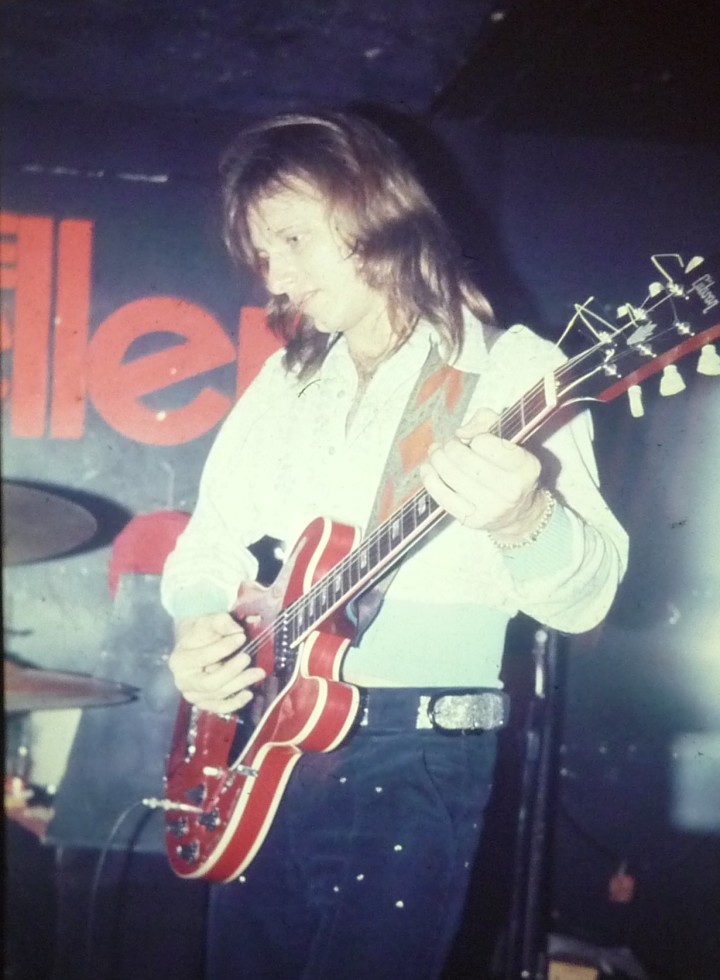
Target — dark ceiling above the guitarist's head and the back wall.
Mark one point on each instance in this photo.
(629, 69)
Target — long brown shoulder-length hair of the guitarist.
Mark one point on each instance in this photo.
(386, 217)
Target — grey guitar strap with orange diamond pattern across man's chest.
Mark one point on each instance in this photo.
(434, 410)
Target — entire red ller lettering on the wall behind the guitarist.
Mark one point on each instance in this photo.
(99, 367)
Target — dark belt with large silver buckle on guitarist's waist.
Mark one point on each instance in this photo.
(454, 711)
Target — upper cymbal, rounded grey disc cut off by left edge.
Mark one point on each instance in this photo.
(38, 524)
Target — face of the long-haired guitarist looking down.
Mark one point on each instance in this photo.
(304, 257)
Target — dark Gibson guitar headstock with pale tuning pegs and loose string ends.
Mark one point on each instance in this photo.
(679, 316)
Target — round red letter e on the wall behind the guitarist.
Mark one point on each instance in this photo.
(116, 385)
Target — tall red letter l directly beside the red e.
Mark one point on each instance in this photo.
(72, 311)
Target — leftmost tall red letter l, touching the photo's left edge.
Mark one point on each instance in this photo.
(27, 246)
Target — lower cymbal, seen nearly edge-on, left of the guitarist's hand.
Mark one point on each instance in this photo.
(32, 689)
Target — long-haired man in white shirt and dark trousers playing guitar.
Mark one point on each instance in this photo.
(364, 871)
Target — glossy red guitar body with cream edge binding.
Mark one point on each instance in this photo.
(227, 774)
